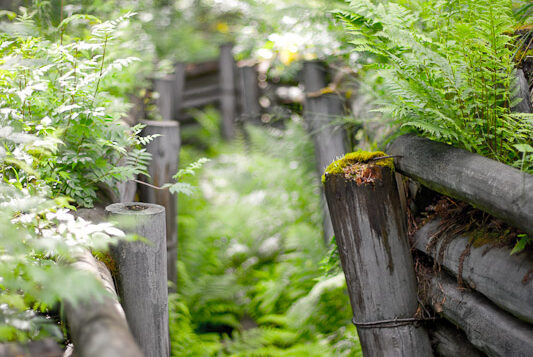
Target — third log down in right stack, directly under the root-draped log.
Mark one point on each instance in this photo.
(490, 329)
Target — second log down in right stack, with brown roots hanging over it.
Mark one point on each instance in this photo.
(507, 280)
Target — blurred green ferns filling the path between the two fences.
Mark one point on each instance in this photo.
(250, 282)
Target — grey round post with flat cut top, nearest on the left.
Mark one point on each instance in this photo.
(142, 275)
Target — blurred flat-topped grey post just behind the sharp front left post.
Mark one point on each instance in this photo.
(165, 156)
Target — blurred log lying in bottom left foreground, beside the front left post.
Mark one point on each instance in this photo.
(98, 326)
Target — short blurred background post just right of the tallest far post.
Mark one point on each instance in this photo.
(249, 95)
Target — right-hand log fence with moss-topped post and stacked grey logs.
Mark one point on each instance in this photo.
(484, 291)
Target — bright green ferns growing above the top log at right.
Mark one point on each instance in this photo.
(447, 73)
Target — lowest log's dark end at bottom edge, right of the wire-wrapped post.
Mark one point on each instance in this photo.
(448, 341)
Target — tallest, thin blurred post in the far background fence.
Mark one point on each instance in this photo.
(228, 102)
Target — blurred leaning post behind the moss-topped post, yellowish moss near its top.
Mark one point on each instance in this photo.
(320, 111)
